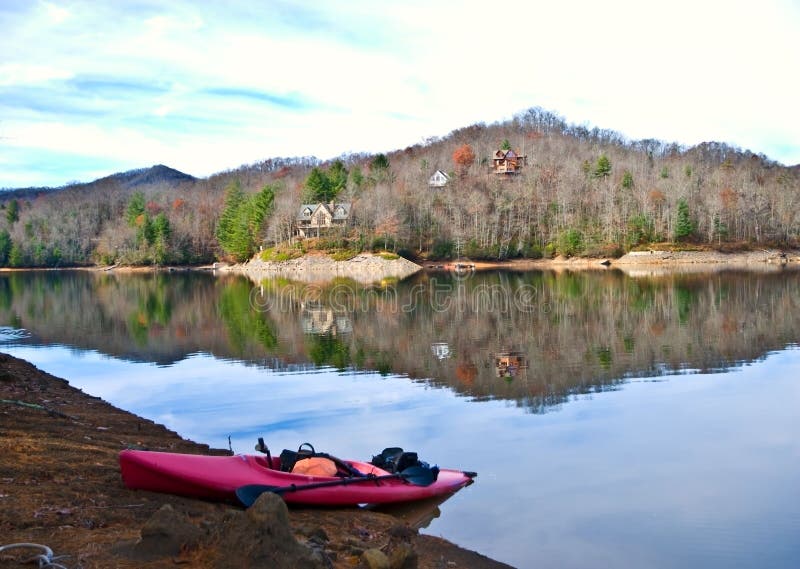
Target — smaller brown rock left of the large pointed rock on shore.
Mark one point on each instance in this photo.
(166, 534)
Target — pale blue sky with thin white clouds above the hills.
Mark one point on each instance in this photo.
(88, 88)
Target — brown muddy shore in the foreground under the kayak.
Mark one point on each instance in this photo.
(60, 486)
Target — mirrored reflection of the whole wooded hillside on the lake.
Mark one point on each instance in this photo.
(536, 338)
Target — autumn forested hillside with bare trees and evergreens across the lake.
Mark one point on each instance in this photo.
(582, 192)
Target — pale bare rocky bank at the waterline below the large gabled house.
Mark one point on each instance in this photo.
(363, 268)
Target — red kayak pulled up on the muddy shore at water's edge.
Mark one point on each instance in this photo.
(218, 478)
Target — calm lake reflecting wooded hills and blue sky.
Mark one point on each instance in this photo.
(615, 420)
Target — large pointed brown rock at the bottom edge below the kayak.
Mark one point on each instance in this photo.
(261, 537)
